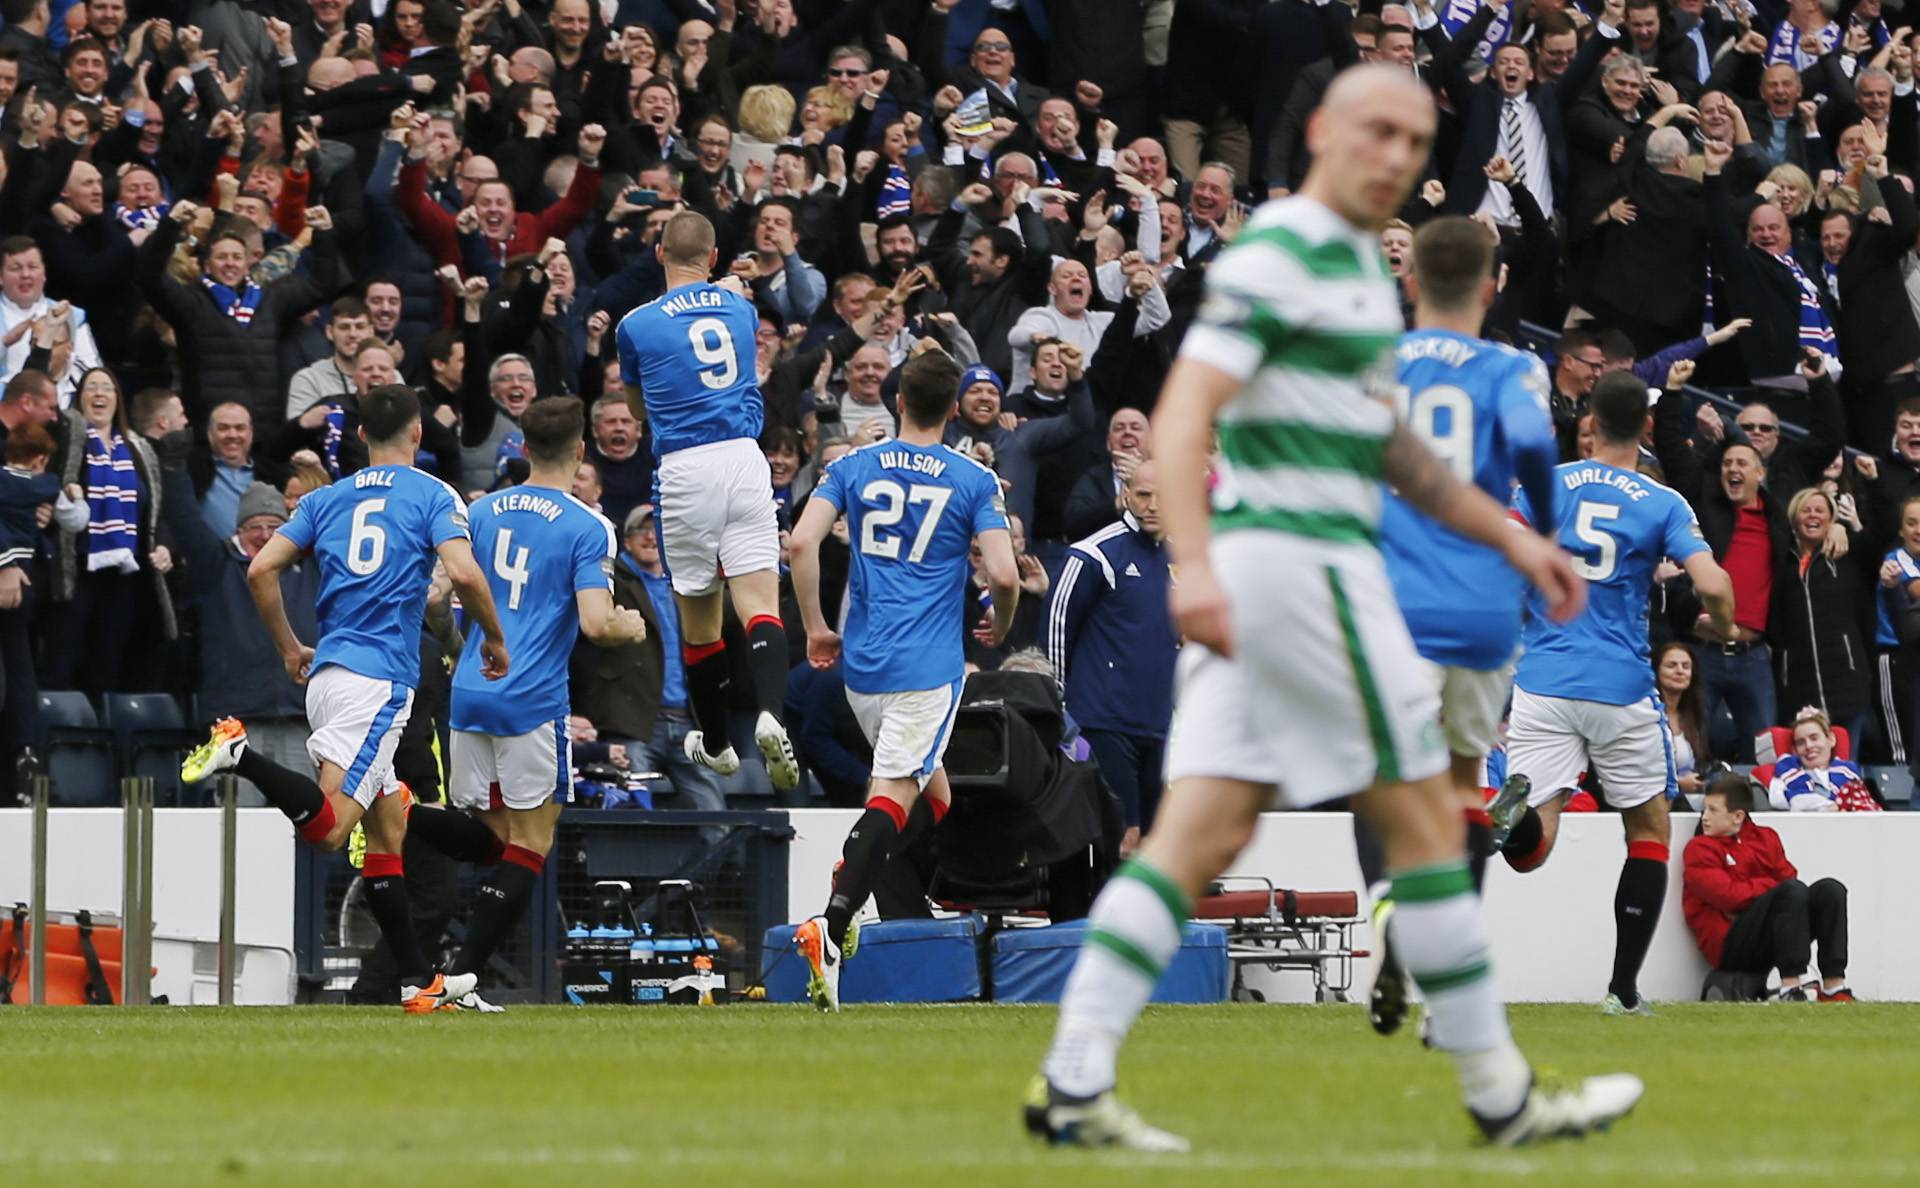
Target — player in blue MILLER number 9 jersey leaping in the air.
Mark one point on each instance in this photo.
(688, 366)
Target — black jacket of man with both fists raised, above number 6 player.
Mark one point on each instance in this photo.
(226, 360)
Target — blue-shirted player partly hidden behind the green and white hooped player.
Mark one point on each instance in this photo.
(1483, 410)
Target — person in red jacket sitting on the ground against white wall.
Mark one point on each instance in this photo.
(1748, 909)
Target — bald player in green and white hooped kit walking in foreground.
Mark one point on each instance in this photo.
(1320, 684)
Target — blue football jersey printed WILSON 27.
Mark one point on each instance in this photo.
(913, 513)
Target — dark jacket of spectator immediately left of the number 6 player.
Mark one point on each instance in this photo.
(241, 673)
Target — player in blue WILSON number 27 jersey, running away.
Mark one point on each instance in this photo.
(915, 508)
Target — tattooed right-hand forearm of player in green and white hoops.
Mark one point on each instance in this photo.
(1431, 487)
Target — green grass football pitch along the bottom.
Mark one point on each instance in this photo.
(919, 1099)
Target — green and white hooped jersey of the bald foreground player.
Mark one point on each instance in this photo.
(1307, 314)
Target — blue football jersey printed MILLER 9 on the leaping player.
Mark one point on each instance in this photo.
(692, 354)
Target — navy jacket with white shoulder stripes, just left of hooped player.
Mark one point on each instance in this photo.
(1109, 634)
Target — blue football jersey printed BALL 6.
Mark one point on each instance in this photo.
(375, 535)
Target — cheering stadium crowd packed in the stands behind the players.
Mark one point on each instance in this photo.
(222, 222)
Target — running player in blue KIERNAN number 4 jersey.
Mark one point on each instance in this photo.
(548, 563)
